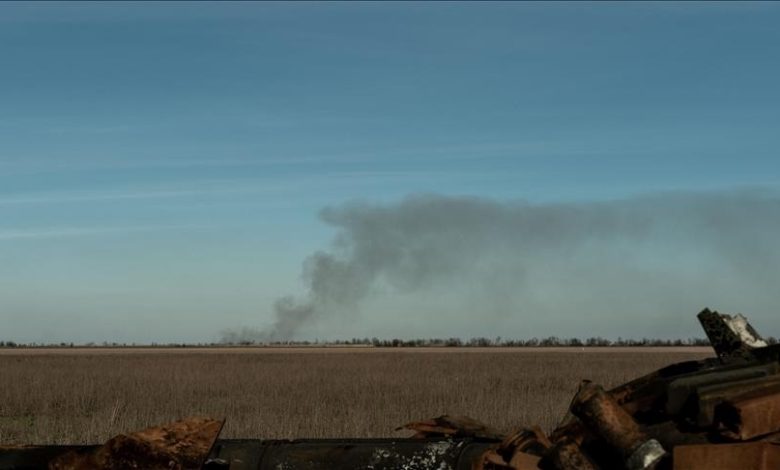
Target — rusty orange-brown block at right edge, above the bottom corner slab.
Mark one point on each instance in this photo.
(750, 415)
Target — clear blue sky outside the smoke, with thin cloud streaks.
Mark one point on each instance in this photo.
(165, 164)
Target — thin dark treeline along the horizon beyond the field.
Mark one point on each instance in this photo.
(481, 342)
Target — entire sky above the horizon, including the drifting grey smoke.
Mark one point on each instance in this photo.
(169, 171)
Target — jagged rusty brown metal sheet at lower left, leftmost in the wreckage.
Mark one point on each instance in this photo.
(182, 445)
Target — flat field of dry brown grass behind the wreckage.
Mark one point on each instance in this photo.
(86, 396)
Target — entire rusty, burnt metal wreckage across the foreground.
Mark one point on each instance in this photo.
(719, 413)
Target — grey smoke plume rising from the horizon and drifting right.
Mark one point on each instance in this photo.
(558, 267)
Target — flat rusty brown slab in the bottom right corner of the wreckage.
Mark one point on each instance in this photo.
(753, 456)
